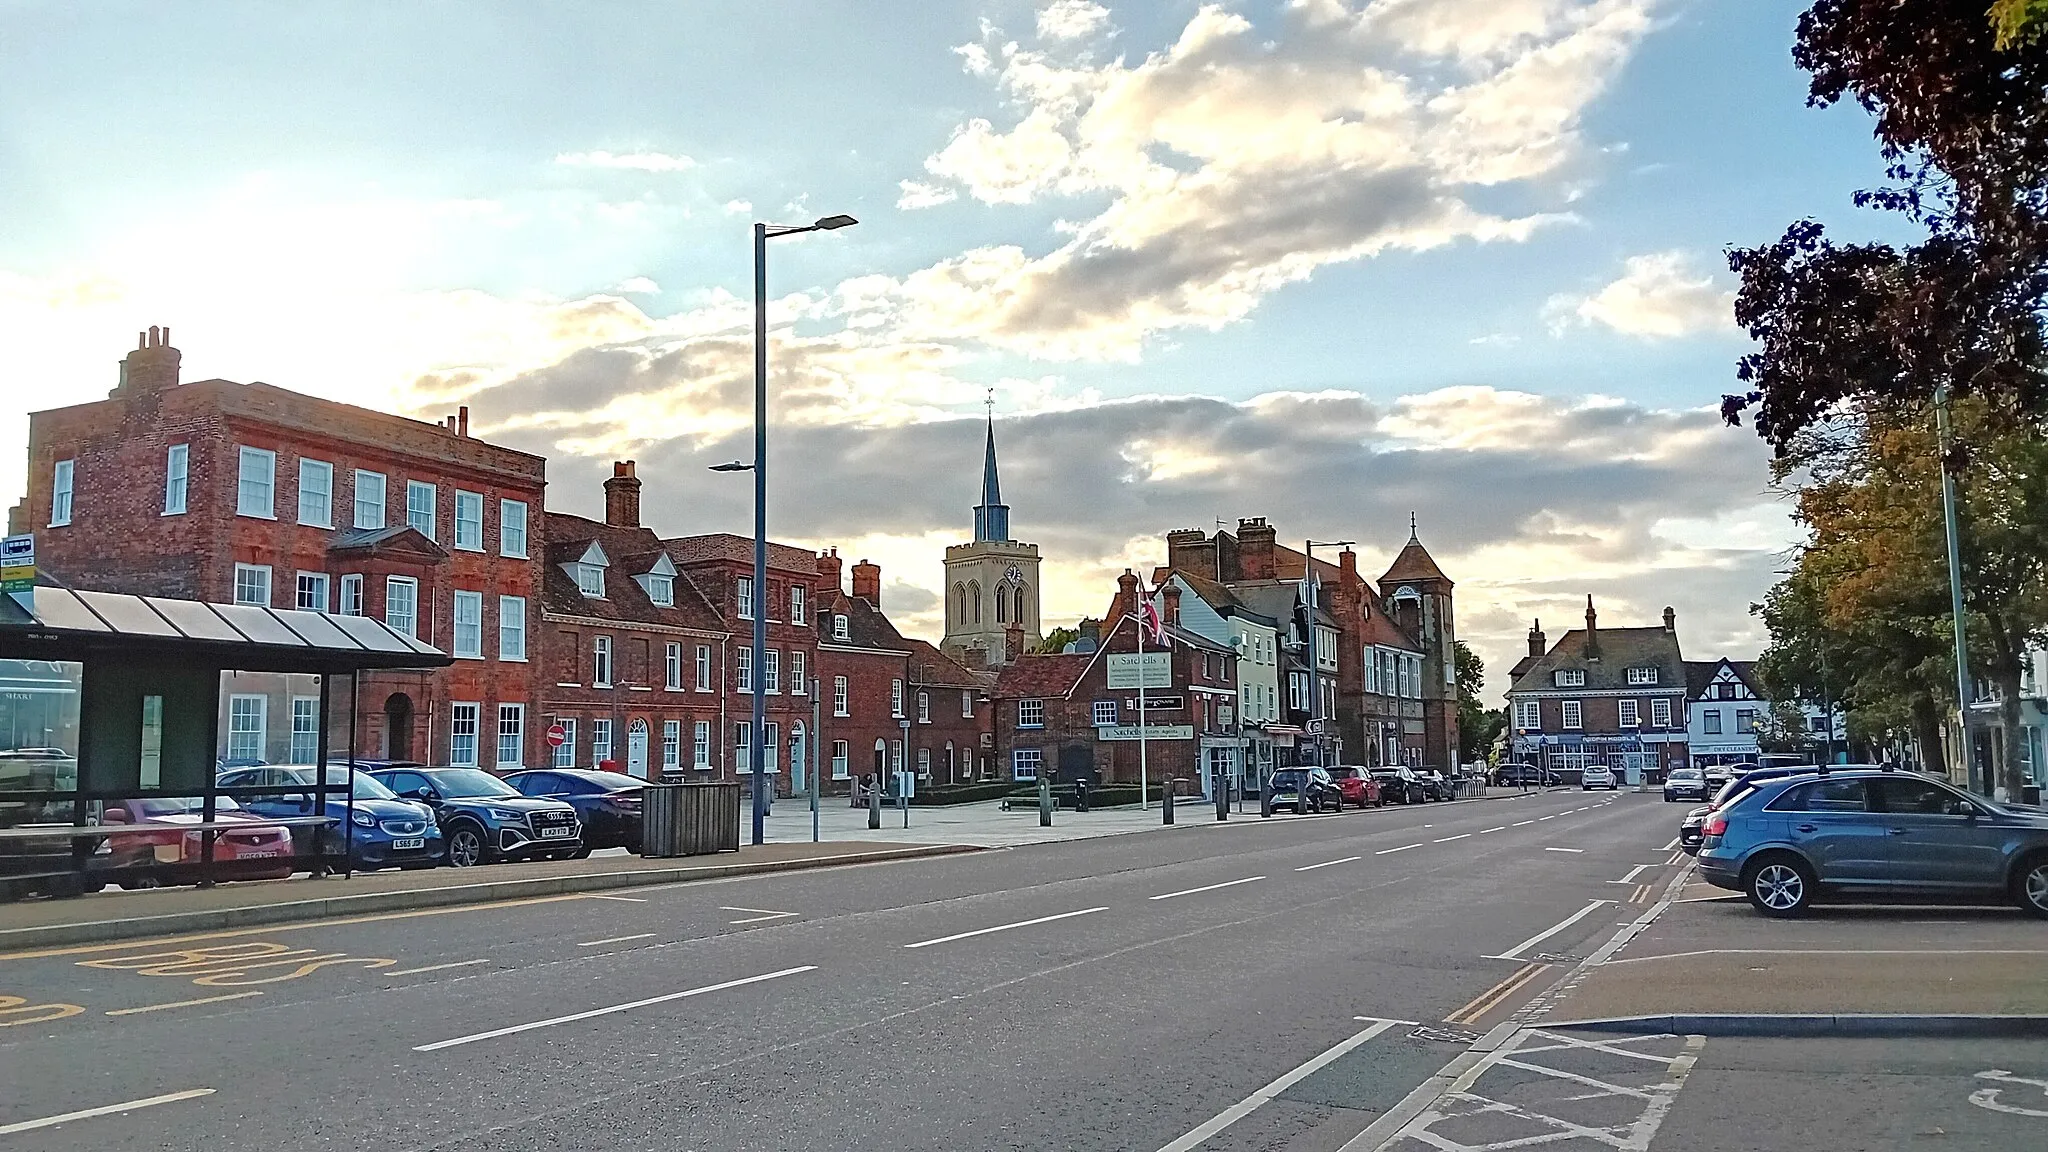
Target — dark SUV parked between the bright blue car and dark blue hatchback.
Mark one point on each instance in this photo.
(484, 819)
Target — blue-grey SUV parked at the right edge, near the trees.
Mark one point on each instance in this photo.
(1873, 833)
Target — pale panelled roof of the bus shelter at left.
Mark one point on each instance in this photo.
(69, 626)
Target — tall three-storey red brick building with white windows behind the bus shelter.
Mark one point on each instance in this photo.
(247, 493)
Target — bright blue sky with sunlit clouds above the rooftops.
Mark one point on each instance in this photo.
(1322, 261)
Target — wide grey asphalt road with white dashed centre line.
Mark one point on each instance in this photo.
(1111, 993)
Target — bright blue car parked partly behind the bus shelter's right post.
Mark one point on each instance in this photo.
(384, 829)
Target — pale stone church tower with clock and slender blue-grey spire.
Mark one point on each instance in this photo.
(992, 585)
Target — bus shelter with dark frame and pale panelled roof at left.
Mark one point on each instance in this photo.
(118, 716)
